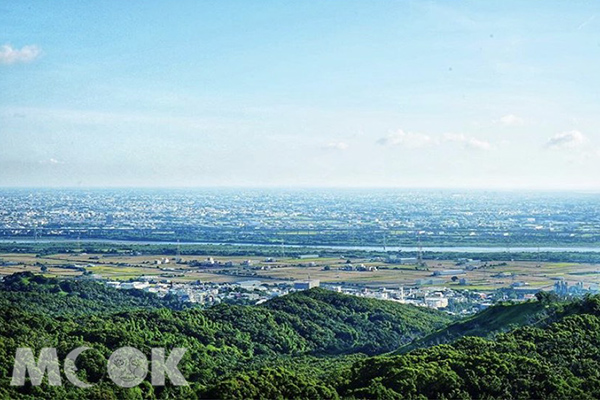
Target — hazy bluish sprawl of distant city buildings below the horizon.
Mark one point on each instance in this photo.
(305, 217)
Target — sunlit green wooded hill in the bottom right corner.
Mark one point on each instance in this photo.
(560, 360)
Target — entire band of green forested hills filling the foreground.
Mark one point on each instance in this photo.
(312, 344)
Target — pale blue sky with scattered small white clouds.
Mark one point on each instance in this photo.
(459, 94)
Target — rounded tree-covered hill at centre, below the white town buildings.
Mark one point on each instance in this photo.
(341, 323)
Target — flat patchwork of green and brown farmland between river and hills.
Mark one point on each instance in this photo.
(488, 277)
